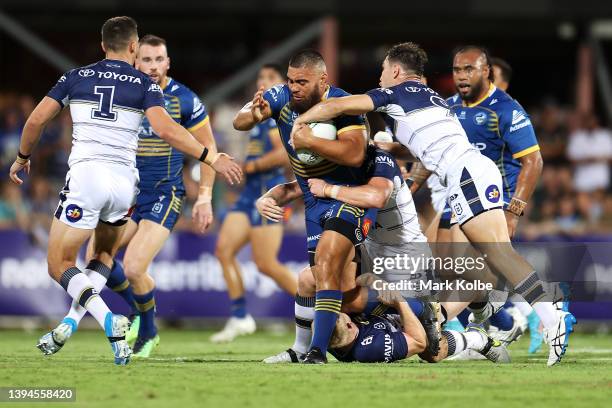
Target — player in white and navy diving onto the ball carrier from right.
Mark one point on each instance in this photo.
(424, 125)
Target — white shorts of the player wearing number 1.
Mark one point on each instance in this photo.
(97, 191)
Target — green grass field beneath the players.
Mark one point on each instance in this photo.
(188, 371)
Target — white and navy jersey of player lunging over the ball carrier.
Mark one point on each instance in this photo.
(421, 121)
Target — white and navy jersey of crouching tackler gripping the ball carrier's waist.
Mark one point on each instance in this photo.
(397, 223)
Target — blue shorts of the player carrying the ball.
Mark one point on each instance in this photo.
(350, 221)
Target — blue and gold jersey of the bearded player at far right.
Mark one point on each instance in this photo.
(500, 128)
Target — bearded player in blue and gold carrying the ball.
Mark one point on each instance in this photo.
(333, 227)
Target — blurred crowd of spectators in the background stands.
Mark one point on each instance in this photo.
(573, 197)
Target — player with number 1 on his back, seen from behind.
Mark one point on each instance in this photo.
(107, 102)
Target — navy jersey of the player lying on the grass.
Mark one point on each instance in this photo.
(380, 340)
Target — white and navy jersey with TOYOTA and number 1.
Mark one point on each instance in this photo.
(107, 103)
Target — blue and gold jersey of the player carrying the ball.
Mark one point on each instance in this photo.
(333, 173)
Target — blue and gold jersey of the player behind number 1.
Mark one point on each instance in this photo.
(161, 165)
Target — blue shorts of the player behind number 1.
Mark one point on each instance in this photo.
(160, 206)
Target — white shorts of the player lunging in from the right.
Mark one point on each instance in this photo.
(474, 186)
